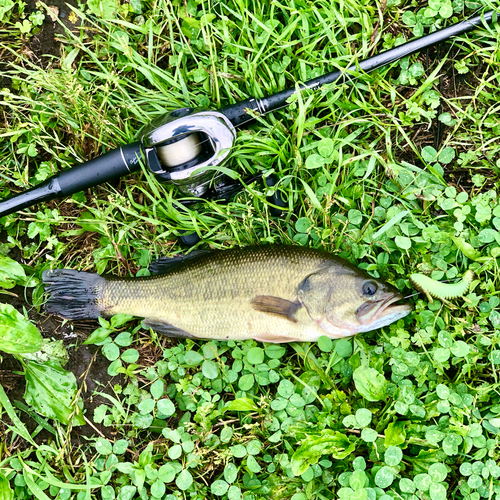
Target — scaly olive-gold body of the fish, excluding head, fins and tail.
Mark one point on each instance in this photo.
(211, 297)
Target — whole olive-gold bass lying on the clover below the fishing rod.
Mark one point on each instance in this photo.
(274, 294)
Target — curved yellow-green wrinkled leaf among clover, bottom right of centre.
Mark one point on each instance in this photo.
(328, 442)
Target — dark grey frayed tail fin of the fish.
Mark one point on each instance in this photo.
(73, 294)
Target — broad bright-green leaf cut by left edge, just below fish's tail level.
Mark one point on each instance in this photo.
(17, 335)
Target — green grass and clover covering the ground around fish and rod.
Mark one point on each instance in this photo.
(407, 412)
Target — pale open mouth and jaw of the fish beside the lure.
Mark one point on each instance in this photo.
(384, 311)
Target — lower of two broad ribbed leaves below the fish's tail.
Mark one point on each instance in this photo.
(51, 391)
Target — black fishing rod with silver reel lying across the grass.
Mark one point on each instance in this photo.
(184, 147)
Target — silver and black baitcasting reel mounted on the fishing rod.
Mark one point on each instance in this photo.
(181, 147)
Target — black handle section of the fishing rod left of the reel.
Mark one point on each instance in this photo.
(112, 165)
